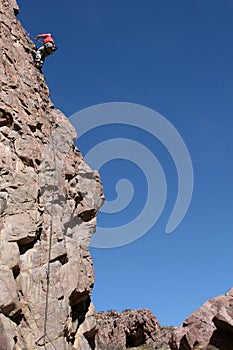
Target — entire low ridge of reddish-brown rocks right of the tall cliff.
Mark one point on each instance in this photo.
(209, 328)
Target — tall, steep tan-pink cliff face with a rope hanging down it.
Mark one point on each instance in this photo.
(49, 199)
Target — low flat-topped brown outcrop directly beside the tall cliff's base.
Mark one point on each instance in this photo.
(137, 329)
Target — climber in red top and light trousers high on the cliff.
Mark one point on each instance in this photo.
(47, 49)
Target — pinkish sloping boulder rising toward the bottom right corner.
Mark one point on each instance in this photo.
(211, 324)
